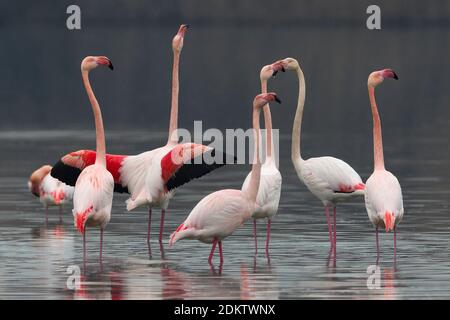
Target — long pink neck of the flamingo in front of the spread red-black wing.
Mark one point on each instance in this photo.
(99, 131)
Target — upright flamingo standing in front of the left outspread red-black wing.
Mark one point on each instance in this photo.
(92, 198)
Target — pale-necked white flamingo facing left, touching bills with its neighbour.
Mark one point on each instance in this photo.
(330, 179)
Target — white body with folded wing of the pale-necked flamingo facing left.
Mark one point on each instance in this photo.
(331, 174)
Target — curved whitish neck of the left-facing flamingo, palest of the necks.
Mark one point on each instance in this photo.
(297, 127)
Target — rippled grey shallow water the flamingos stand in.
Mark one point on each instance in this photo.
(35, 254)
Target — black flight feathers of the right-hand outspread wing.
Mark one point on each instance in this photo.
(197, 167)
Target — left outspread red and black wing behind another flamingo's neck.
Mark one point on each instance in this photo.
(69, 167)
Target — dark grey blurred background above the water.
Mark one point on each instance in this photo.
(224, 50)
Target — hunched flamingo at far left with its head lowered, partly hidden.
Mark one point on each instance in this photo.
(51, 192)
